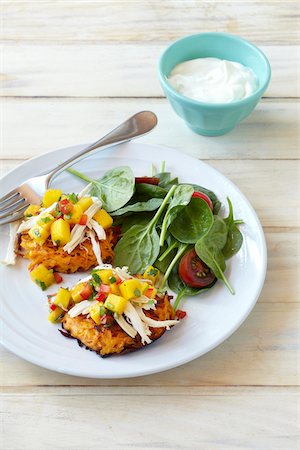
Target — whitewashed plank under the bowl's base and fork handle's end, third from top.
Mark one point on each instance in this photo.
(34, 126)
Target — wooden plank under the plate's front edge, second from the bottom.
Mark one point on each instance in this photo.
(264, 351)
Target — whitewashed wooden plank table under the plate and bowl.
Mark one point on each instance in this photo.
(70, 71)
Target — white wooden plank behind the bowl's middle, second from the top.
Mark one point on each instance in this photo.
(98, 70)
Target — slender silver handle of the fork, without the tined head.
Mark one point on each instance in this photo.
(137, 125)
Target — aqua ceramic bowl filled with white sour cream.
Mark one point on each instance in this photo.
(213, 81)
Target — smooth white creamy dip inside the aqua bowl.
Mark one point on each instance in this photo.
(213, 80)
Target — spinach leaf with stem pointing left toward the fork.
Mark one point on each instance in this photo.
(114, 189)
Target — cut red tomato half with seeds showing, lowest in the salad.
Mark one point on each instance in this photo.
(194, 272)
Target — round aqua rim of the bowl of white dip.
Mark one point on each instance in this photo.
(256, 94)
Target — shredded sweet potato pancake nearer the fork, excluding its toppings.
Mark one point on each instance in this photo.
(53, 257)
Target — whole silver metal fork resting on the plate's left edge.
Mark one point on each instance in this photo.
(14, 203)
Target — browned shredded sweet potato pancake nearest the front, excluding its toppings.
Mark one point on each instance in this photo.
(113, 340)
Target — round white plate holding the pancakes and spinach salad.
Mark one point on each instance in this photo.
(211, 318)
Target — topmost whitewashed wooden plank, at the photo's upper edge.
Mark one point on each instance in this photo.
(115, 21)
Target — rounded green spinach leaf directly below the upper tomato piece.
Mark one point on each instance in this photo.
(192, 222)
